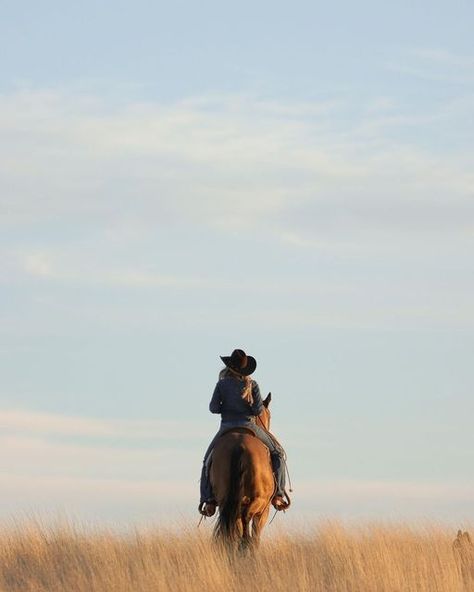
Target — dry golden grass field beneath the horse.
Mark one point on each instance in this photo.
(331, 558)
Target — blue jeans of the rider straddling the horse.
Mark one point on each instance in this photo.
(276, 456)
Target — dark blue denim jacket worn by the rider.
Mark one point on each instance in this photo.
(227, 400)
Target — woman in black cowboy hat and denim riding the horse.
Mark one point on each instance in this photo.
(237, 399)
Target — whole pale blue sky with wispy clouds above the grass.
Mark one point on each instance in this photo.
(179, 180)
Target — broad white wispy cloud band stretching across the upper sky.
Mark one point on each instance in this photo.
(233, 161)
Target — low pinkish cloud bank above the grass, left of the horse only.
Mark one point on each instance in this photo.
(119, 468)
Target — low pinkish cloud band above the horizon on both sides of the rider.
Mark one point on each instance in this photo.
(56, 463)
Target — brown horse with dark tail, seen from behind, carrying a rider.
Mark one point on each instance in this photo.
(242, 480)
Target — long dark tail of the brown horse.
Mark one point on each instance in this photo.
(230, 511)
